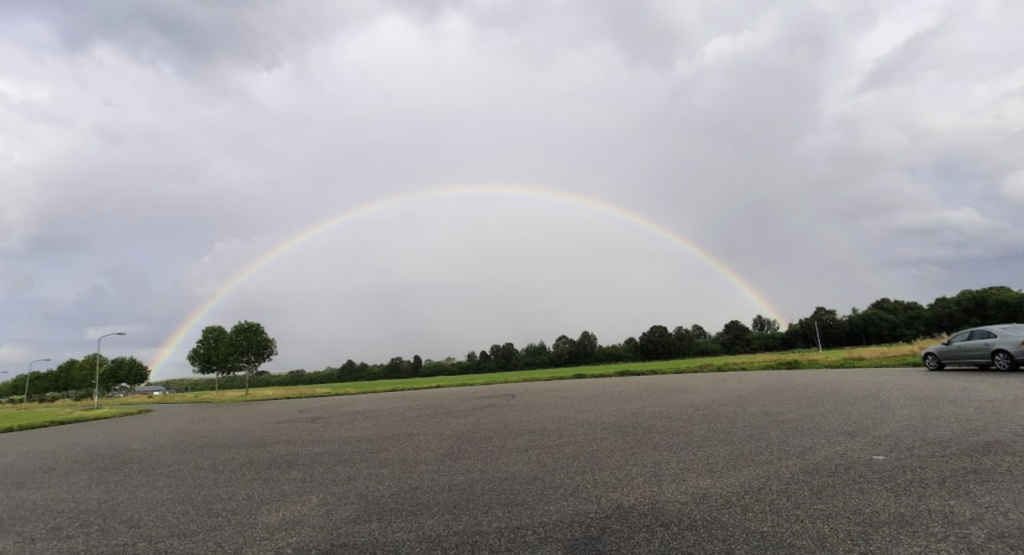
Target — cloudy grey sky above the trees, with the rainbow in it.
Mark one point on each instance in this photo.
(483, 172)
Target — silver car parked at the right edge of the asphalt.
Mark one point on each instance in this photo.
(1001, 347)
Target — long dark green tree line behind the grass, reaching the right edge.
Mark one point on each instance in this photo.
(883, 322)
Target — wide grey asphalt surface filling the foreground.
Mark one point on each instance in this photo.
(846, 461)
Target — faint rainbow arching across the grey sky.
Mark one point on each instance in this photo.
(175, 341)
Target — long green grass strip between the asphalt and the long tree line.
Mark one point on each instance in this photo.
(902, 356)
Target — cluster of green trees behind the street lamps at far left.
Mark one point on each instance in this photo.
(75, 379)
